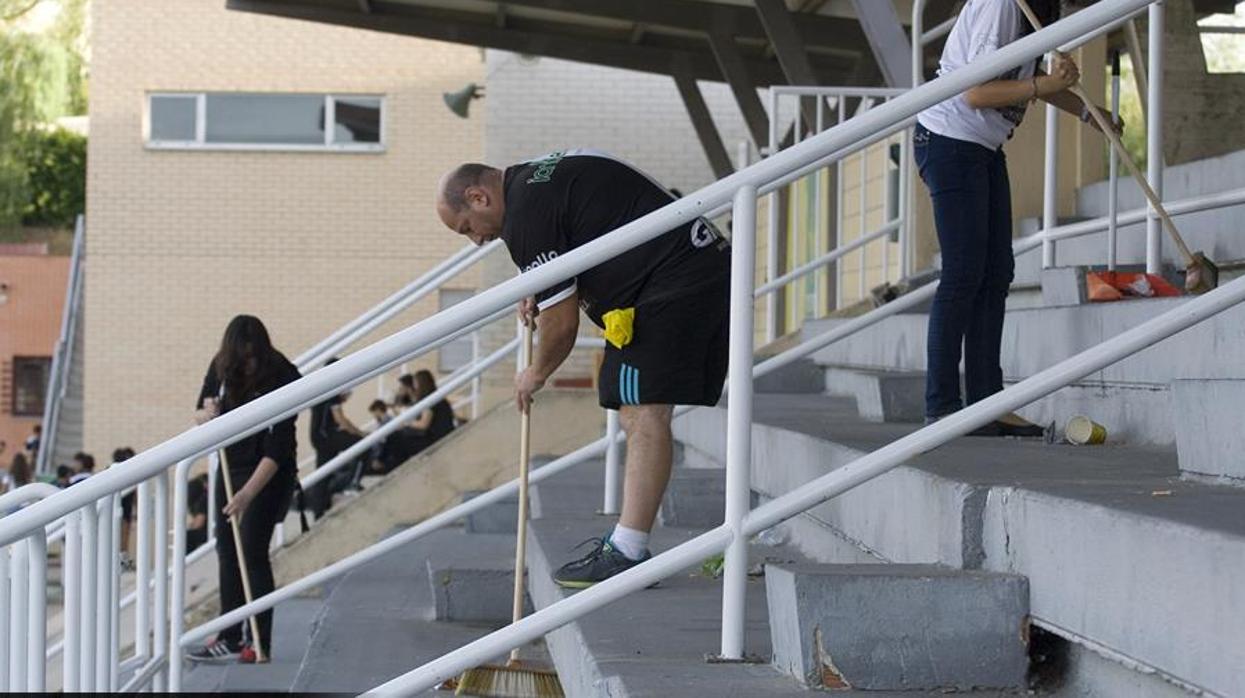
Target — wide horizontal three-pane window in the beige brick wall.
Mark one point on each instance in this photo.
(252, 121)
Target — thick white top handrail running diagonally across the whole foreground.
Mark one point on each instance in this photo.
(394, 350)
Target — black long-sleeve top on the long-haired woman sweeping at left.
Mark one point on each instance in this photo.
(277, 442)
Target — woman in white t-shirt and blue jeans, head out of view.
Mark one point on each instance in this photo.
(958, 146)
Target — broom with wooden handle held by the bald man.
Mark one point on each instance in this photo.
(516, 680)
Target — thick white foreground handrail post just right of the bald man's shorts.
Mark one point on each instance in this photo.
(739, 434)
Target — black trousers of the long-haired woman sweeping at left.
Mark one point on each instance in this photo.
(257, 527)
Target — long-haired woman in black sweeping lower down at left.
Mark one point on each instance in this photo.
(263, 471)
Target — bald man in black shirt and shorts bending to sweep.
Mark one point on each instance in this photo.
(664, 308)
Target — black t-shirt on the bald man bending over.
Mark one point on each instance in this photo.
(570, 198)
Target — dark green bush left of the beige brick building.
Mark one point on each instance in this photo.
(57, 175)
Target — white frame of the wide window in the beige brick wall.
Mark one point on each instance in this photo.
(201, 126)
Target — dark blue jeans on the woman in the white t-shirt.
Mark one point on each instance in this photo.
(972, 200)
